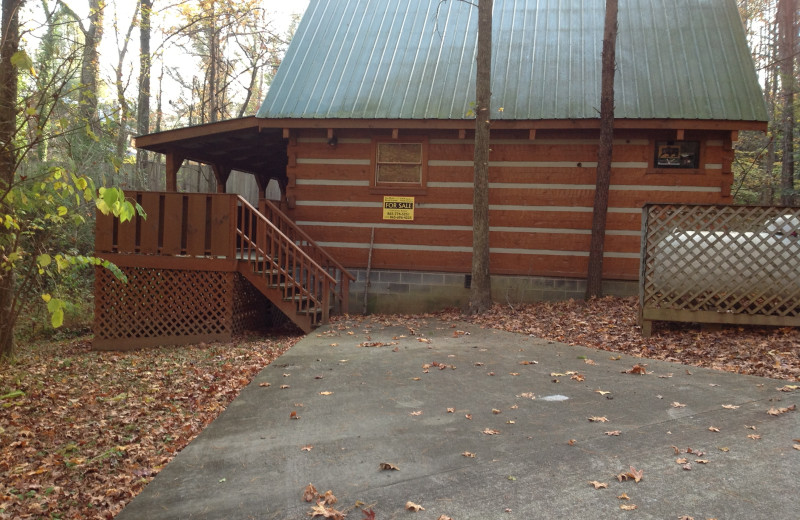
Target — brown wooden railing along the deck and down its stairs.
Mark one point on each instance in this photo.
(209, 231)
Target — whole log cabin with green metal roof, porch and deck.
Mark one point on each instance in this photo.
(368, 132)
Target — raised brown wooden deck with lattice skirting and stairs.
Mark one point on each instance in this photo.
(201, 267)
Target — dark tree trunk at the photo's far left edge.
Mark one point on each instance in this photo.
(9, 46)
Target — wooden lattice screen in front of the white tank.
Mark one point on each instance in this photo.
(720, 264)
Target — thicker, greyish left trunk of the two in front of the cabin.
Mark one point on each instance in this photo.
(481, 294)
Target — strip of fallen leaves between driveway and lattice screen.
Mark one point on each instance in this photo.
(611, 324)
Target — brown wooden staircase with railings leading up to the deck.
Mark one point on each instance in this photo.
(280, 260)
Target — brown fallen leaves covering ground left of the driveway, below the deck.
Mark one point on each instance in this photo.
(88, 430)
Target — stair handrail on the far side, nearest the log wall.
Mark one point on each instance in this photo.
(315, 252)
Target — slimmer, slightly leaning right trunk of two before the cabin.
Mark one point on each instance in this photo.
(595, 275)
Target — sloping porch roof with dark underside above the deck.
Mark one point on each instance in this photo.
(242, 144)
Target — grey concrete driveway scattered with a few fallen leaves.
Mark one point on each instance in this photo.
(361, 395)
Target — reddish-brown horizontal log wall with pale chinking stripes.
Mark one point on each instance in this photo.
(541, 198)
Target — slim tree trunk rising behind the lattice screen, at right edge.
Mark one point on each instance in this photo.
(786, 37)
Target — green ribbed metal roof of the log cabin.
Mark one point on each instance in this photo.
(415, 59)
